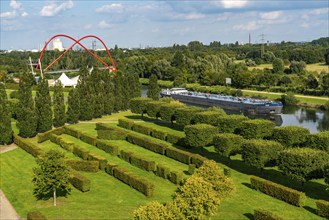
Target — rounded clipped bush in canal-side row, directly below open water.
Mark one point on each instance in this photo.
(291, 136)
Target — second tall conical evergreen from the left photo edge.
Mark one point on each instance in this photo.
(26, 116)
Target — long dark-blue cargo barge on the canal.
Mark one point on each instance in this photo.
(246, 105)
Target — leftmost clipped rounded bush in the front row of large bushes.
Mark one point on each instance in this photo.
(199, 135)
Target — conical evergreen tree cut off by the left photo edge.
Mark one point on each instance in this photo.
(6, 133)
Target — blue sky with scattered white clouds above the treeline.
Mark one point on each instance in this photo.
(28, 24)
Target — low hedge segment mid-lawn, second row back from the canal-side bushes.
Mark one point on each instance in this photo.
(149, 144)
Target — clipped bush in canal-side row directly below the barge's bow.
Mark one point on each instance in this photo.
(258, 128)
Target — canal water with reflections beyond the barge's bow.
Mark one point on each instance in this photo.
(312, 119)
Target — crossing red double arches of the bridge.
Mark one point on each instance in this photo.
(112, 68)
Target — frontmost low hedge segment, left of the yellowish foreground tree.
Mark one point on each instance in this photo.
(135, 182)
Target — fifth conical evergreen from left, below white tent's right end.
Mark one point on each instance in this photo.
(73, 110)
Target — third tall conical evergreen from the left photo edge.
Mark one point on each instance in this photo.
(43, 109)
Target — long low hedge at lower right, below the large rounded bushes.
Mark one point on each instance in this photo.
(278, 191)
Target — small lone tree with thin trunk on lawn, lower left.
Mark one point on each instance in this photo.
(51, 175)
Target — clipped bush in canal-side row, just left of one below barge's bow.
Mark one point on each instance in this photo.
(229, 123)
